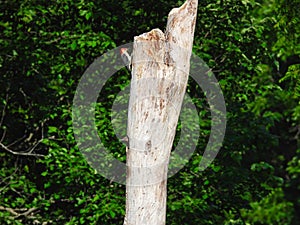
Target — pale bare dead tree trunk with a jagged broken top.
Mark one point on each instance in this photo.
(160, 69)
